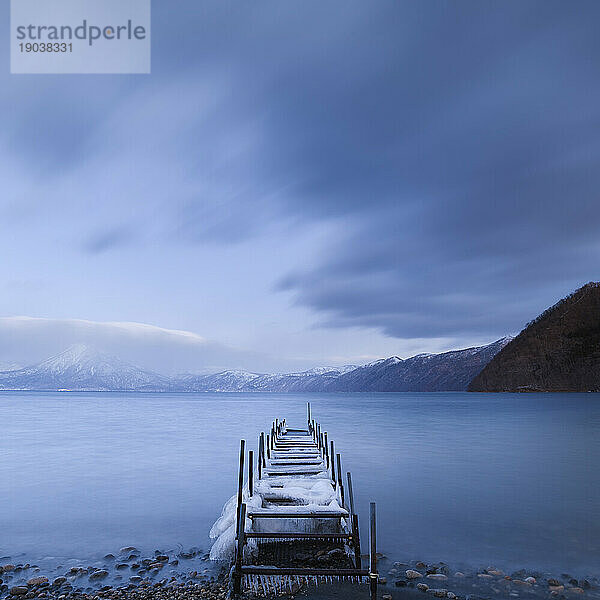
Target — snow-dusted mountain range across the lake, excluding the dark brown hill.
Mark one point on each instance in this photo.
(81, 368)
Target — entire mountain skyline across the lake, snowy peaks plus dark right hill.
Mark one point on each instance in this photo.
(558, 351)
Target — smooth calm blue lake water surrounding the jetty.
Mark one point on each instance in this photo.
(469, 479)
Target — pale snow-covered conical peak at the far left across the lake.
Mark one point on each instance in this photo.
(82, 368)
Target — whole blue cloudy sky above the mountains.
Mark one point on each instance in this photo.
(304, 182)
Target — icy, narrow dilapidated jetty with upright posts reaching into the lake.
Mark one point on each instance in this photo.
(295, 504)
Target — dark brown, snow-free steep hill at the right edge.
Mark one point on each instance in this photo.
(559, 351)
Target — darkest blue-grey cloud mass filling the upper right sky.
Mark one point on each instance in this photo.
(463, 157)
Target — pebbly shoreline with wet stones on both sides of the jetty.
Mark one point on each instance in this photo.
(191, 574)
